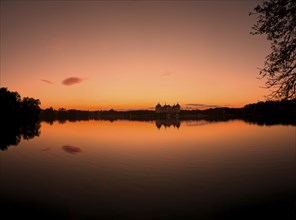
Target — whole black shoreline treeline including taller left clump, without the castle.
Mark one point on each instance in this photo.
(12, 106)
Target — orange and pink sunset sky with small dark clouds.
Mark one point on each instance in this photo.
(132, 54)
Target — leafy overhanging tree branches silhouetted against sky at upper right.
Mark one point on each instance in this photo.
(277, 19)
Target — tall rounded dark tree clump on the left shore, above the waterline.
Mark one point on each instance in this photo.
(13, 107)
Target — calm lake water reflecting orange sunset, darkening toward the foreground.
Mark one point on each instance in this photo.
(134, 170)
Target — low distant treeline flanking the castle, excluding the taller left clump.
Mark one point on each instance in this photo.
(275, 110)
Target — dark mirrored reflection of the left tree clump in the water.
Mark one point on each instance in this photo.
(13, 131)
